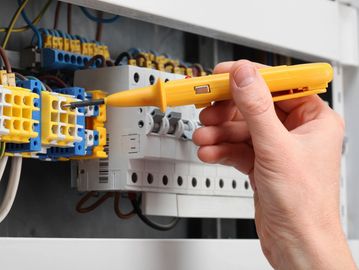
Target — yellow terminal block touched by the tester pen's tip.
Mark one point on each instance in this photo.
(58, 125)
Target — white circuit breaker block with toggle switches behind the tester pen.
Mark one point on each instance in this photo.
(151, 151)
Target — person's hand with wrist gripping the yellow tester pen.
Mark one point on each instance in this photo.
(291, 152)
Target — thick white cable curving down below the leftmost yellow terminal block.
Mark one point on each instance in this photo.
(11, 188)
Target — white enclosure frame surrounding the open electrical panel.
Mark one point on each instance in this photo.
(307, 29)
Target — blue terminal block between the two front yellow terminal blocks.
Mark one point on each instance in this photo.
(34, 144)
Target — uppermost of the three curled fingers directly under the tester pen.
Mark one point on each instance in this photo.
(219, 112)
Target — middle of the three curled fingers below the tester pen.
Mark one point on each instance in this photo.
(231, 132)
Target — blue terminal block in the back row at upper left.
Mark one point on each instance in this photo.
(52, 59)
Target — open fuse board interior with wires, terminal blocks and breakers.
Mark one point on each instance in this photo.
(115, 154)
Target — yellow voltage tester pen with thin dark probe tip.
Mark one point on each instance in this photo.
(284, 82)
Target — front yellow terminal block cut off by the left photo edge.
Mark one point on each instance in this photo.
(17, 107)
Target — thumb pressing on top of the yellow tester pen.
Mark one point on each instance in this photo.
(254, 100)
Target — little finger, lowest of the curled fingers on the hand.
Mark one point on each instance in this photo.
(239, 155)
